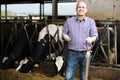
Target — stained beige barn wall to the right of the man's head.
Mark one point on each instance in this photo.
(103, 9)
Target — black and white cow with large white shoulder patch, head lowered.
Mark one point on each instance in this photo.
(41, 48)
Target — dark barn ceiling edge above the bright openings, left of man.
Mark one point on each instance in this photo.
(31, 1)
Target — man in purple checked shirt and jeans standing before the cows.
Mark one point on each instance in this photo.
(77, 30)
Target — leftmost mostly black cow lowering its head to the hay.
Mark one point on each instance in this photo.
(22, 45)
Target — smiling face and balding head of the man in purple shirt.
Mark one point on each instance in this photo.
(81, 9)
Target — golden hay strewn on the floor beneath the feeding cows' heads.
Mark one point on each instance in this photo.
(11, 74)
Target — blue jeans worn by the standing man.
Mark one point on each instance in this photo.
(75, 58)
